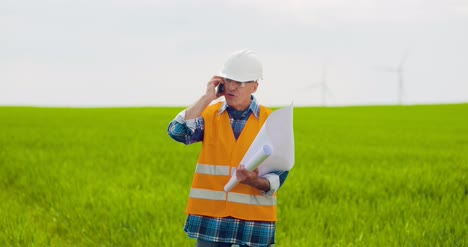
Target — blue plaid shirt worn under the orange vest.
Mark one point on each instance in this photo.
(225, 230)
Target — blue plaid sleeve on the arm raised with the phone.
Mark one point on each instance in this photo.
(186, 131)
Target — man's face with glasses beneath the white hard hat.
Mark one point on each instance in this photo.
(238, 94)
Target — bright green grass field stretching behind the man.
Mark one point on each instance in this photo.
(364, 176)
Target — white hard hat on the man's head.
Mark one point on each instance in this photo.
(242, 66)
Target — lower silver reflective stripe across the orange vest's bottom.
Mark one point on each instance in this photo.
(233, 197)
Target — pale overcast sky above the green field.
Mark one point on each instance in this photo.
(105, 53)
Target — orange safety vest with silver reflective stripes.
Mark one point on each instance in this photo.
(219, 156)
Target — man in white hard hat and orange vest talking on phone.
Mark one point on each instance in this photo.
(246, 215)
